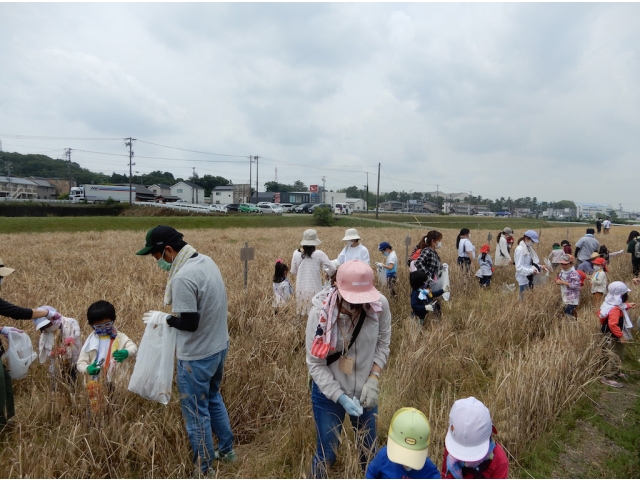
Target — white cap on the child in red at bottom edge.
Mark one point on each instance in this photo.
(470, 429)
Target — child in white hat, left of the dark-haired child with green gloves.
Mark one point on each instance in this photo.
(60, 343)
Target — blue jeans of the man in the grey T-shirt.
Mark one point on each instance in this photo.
(203, 408)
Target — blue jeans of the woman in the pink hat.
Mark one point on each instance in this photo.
(329, 416)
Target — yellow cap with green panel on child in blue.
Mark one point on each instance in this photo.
(408, 441)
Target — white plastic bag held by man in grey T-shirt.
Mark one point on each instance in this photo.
(152, 376)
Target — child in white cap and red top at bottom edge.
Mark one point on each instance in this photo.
(470, 450)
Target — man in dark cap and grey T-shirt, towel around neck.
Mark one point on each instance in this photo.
(198, 298)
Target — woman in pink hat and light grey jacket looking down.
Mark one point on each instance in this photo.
(348, 336)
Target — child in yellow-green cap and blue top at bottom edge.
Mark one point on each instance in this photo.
(407, 450)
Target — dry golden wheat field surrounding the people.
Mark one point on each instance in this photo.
(524, 360)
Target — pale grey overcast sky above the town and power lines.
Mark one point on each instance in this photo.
(497, 99)
